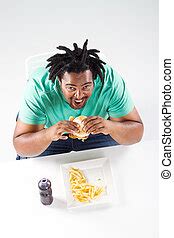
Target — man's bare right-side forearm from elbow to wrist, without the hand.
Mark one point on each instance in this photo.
(126, 132)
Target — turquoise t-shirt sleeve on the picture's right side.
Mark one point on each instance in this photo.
(121, 102)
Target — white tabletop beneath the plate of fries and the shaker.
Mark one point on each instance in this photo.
(135, 173)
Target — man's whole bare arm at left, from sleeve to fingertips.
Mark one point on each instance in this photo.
(31, 140)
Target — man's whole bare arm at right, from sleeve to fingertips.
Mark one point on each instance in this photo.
(125, 130)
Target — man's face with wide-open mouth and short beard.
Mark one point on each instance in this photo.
(77, 88)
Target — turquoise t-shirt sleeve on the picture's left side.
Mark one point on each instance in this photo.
(31, 108)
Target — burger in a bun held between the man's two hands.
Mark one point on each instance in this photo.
(82, 135)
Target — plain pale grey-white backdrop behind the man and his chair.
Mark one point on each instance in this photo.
(125, 31)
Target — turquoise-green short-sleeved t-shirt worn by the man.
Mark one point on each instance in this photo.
(44, 102)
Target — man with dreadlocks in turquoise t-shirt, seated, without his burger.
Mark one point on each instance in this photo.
(75, 83)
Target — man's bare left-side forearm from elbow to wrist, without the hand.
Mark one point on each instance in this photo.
(32, 144)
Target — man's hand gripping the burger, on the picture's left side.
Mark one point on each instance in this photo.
(56, 131)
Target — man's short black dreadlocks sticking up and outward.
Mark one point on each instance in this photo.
(77, 60)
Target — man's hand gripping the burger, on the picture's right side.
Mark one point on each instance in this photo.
(96, 125)
